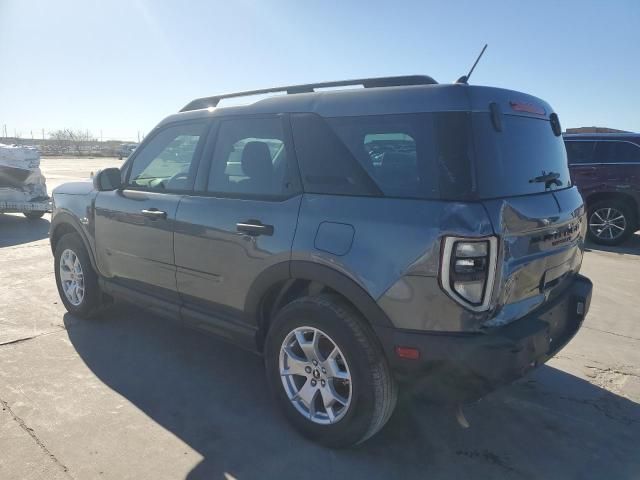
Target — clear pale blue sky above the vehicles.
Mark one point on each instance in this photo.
(119, 66)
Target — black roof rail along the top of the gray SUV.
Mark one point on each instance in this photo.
(207, 102)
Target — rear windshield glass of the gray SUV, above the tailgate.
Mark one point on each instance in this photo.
(524, 158)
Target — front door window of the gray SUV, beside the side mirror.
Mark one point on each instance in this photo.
(166, 162)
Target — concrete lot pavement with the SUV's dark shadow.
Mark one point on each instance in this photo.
(135, 396)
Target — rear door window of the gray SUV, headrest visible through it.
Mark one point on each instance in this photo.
(250, 157)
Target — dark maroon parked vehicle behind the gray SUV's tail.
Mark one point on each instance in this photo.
(606, 169)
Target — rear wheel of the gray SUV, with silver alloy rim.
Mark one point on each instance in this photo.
(328, 372)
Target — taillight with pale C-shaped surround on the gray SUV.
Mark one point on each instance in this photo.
(468, 269)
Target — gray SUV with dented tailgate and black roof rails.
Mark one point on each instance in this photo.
(405, 234)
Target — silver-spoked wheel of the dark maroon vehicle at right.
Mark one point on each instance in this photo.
(610, 222)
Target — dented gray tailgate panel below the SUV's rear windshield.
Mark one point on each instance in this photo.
(542, 241)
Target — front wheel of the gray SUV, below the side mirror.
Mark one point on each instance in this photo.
(76, 280)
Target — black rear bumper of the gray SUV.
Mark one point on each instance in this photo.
(464, 367)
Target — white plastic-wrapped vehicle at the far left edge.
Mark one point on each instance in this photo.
(26, 158)
